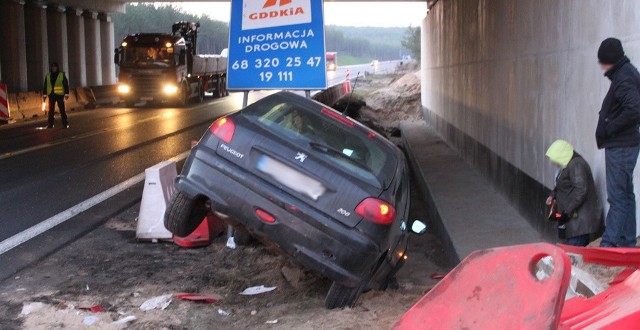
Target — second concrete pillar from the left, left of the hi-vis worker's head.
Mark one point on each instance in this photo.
(37, 47)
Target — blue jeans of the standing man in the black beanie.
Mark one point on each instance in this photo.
(620, 226)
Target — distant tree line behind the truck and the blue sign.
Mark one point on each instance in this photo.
(213, 36)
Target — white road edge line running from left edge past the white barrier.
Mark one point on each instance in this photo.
(71, 212)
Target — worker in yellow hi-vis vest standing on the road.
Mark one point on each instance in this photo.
(56, 87)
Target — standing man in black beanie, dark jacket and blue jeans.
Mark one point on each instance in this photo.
(618, 134)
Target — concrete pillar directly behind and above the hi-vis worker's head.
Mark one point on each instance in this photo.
(57, 36)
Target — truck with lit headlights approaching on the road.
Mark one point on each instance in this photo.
(157, 67)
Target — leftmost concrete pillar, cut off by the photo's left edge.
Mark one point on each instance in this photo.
(13, 52)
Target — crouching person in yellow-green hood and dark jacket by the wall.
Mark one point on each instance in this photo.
(574, 201)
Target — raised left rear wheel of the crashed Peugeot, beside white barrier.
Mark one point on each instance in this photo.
(184, 214)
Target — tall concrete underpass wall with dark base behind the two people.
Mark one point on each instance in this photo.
(502, 79)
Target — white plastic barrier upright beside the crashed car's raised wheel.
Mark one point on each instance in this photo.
(158, 188)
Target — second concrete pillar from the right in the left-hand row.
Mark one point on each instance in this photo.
(93, 48)
